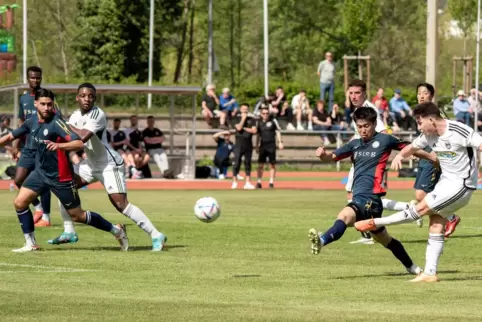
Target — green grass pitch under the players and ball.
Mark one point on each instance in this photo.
(253, 264)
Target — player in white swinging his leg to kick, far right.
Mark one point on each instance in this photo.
(455, 146)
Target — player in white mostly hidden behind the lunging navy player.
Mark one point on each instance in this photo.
(357, 93)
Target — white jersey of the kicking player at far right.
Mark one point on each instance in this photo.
(456, 150)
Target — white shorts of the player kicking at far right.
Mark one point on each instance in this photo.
(448, 197)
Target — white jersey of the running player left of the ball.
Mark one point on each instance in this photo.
(98, 150)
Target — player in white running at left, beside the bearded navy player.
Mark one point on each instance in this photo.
(102, 164)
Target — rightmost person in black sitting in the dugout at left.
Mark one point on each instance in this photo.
(153, 139)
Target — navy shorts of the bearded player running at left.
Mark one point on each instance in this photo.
(65, 191)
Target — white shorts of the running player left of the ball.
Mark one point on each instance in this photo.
(111, 177)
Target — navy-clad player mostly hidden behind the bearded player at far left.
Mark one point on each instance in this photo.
(26, 162)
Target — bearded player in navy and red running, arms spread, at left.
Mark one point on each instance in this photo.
(53, 172)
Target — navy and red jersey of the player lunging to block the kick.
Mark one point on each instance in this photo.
(370, 160)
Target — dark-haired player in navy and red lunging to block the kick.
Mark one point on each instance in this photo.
(369, 153)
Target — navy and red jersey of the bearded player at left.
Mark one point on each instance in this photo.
(55, 165)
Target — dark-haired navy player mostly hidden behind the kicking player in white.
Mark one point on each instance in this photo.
(427, 174)
